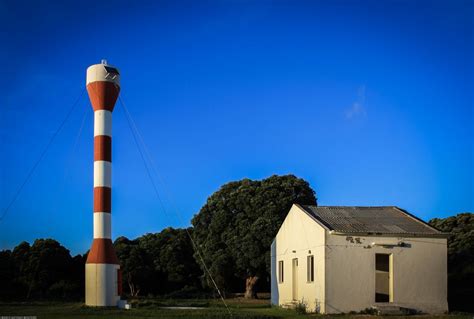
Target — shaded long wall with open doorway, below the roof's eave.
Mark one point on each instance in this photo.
(419, 273)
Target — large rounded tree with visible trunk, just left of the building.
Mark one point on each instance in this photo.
(236, 226)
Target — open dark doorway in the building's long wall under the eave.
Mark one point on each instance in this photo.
(383, 278)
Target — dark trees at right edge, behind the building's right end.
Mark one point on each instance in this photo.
(460, 259)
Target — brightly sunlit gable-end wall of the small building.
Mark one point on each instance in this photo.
(298, 235)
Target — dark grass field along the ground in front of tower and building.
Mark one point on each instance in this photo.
(152, 308)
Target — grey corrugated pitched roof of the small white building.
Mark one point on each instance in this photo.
(373, 220)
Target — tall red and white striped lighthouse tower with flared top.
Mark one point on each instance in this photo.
(103, 278)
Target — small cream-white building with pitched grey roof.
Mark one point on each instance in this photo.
(342, 259)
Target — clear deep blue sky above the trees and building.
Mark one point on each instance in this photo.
(369, 101)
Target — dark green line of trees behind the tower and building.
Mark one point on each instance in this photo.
(232, 232)
